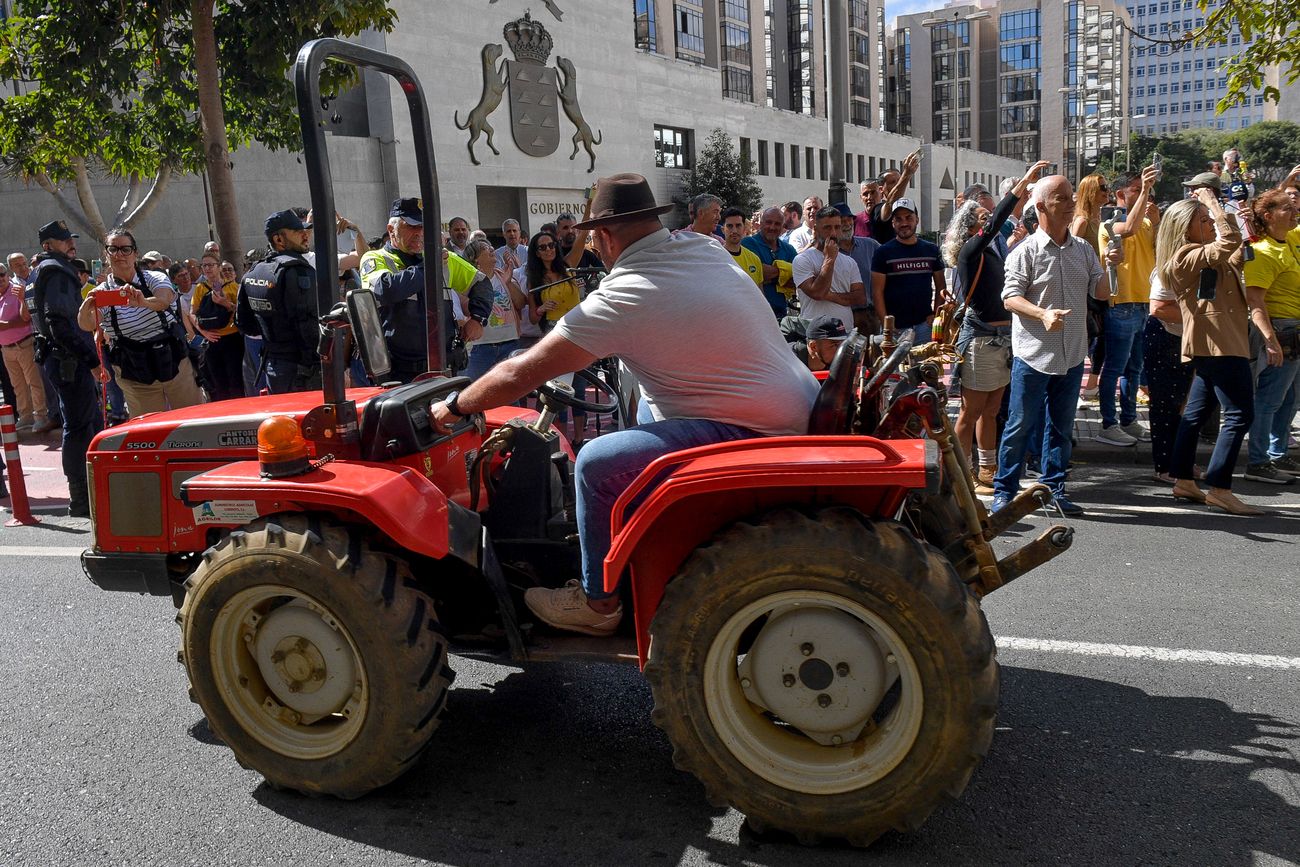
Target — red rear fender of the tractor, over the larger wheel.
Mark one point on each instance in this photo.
(683, 500)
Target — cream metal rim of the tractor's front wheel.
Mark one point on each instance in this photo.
(268, 700)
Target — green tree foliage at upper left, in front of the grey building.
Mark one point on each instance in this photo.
(112, 89)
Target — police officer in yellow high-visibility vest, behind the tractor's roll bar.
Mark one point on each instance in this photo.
(396, 275)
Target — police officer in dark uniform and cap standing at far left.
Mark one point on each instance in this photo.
(67, 354)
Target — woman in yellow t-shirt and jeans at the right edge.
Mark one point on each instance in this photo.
(1273, 293)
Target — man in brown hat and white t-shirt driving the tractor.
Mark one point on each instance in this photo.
(710, 359)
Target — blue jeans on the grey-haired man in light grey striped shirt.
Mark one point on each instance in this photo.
(1033, 395)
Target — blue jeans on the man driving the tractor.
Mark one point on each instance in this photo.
(610, 463)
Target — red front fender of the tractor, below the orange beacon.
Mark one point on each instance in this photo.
(397, 501)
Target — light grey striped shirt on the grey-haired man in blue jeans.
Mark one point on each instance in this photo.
(1054, 278)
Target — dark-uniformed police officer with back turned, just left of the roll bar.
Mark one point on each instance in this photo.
(278, 304)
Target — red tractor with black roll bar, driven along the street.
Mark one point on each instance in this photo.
(807, 609)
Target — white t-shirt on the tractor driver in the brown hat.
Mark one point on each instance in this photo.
(703, 344)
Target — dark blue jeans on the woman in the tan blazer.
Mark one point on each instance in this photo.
(1220, 382)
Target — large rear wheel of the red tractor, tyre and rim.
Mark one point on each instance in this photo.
(826, 675)
